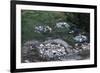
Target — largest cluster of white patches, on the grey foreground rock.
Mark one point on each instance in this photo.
(52, 50)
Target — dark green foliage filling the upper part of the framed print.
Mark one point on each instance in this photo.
(29, 19)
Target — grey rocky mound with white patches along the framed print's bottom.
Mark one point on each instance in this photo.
(52, 50)
